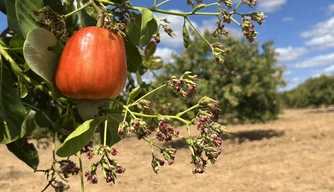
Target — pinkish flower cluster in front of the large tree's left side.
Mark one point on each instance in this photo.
(184, 85)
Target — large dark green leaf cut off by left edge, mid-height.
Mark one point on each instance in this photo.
(11, 109)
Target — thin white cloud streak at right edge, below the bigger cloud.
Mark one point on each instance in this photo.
(321, 60)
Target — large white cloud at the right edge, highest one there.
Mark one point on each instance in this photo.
(321, 36)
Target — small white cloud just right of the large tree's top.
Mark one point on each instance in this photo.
(290, 53)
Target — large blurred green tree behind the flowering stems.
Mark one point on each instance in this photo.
(245, 85)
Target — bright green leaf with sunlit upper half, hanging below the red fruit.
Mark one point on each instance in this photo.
(78, 138)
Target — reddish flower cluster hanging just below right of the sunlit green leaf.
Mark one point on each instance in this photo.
(110, 167)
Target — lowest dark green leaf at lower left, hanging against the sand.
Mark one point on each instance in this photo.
(25, 151)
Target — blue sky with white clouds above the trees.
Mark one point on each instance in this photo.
(303, 32)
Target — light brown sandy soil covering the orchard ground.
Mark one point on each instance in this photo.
(295, 153)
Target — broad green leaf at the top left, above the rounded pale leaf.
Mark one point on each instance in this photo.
(26, 19)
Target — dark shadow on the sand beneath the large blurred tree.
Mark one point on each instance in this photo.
(238, 137)
